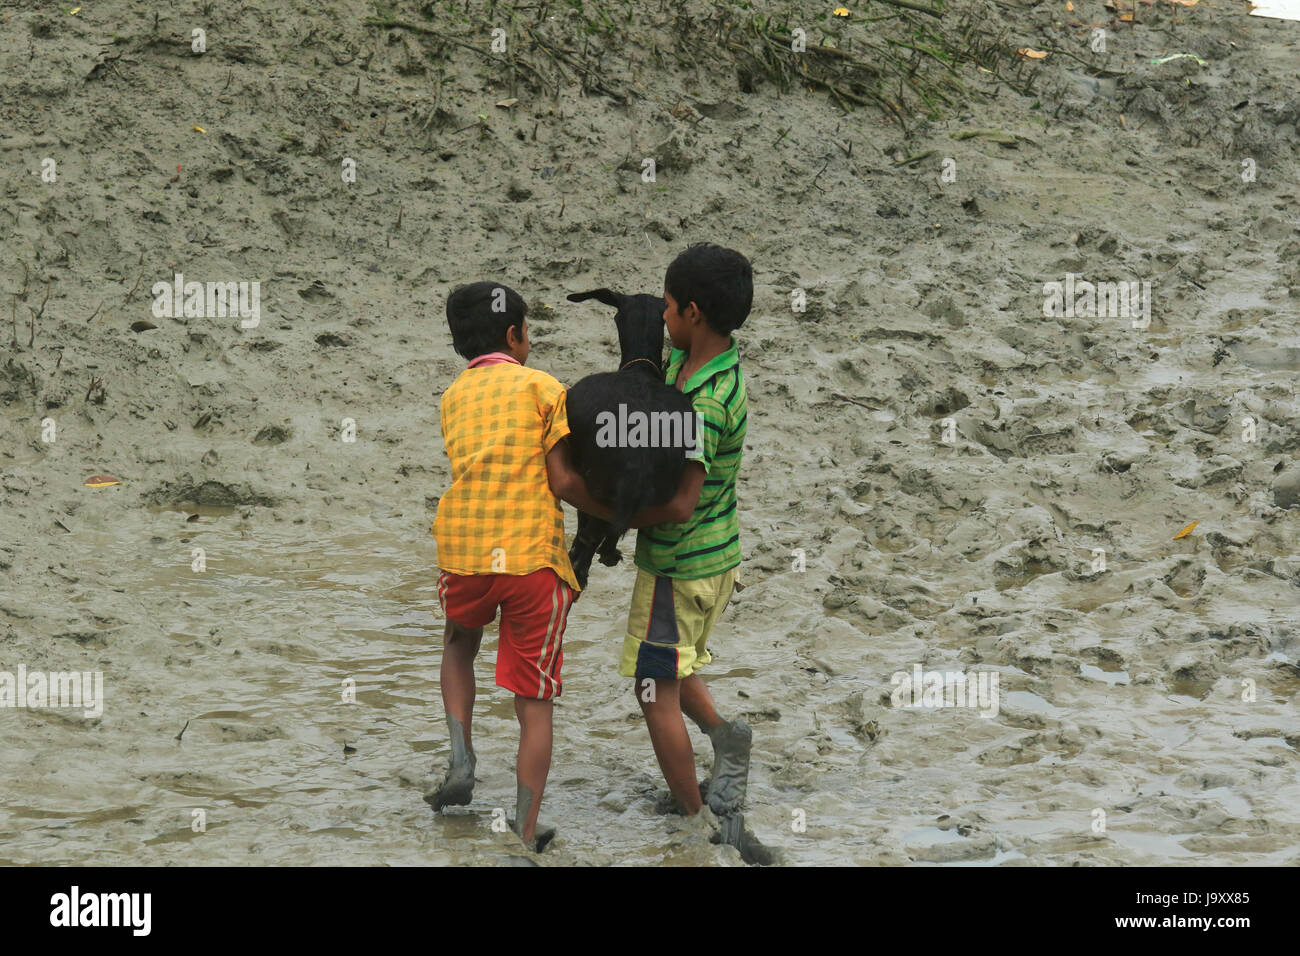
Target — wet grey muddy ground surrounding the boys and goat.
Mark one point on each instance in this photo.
(1160, 691)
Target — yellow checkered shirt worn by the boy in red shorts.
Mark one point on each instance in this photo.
(500, 517)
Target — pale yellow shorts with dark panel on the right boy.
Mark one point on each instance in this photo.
(670, 622)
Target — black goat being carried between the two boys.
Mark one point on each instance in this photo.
(627, 475)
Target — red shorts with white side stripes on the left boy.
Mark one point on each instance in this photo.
(534, 611)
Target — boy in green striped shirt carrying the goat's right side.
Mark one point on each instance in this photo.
(688, 550)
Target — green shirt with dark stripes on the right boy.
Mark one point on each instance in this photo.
(709, 542)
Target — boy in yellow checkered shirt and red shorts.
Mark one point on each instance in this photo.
(501, 539)
